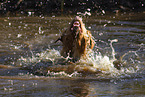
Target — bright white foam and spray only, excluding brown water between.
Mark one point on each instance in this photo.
(95, 61)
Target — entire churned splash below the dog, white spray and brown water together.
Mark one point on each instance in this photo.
(53, 64)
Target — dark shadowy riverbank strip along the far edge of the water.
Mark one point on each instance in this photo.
(69, 7)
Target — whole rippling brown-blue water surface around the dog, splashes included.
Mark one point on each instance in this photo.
(31, 64)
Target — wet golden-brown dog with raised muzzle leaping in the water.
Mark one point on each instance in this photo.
(76, 40)
